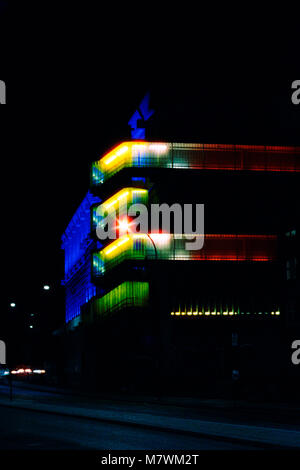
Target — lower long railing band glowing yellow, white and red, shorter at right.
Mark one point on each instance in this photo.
(217, 247)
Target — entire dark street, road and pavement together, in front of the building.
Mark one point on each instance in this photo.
(41, 417)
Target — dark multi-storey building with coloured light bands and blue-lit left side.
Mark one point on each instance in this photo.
(153, 310)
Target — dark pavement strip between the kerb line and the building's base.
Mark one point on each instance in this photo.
(172, 419)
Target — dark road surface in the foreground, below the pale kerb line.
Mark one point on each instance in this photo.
(31, 430)
